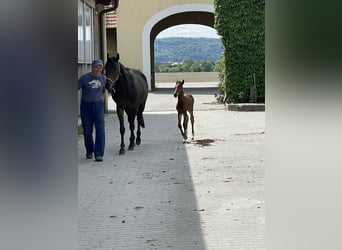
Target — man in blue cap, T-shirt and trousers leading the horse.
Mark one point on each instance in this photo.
(92, 110)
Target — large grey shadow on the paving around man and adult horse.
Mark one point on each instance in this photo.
(144, 199)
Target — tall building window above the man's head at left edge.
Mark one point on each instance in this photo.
(85, 33)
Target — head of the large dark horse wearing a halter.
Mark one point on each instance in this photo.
(112, 69)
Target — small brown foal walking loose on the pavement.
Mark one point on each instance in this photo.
(185, 104)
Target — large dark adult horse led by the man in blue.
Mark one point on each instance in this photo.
(129, 90)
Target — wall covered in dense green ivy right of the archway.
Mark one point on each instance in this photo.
(241, 23)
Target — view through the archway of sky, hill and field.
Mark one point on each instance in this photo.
(187, 51)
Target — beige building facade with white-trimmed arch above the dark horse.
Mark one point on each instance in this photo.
(139, 22)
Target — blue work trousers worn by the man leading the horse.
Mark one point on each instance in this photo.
(92, 113)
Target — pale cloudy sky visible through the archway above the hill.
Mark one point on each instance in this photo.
(188, 30)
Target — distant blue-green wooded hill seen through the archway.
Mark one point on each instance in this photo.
(178, 49)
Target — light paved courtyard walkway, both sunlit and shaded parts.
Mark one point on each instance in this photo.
(166, 194)
